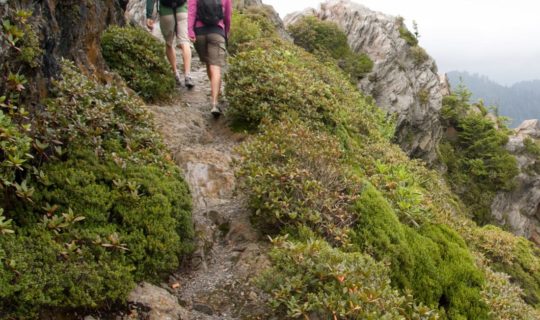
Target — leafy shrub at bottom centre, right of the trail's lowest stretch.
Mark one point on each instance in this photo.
(314, 280)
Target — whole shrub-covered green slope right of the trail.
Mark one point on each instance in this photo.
(321, 174)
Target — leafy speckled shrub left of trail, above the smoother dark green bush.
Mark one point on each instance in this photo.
(103, 117)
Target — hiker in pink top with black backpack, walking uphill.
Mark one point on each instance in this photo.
(209, 23)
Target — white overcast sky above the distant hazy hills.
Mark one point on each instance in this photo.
(496, 38)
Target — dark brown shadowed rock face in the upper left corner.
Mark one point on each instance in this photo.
(68, 29)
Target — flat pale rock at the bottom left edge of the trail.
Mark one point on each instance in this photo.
(161, 305)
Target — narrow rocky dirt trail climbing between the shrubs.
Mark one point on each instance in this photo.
(216, 281)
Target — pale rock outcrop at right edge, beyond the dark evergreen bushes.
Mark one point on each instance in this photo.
(520, 208)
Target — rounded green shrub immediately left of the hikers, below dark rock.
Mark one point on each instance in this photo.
(139, 59)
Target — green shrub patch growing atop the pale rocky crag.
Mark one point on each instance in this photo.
(329, 43)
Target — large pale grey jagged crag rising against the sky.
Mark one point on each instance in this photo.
(404, 79)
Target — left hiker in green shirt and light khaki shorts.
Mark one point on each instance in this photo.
(167, 24)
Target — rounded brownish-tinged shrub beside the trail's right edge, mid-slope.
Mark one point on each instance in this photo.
(294, 177)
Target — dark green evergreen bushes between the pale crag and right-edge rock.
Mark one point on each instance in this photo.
(474, 153)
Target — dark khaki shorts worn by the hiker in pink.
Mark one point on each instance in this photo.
(211, 49)
